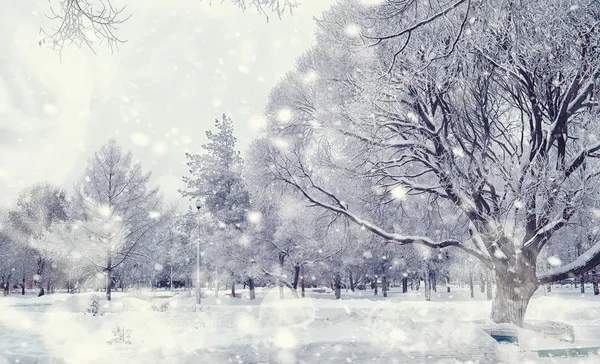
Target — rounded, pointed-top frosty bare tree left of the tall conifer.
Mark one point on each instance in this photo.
(114, 213)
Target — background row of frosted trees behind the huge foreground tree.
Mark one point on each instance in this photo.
(114, 231)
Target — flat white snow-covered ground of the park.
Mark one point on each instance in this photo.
(359, 328)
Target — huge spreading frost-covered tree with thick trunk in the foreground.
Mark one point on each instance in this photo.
(480, 107)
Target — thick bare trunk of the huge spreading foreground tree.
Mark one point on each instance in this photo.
(514, 288)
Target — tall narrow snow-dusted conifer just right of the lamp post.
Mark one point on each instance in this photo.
(216, 179)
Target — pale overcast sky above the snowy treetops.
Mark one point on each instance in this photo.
(185, 63)
